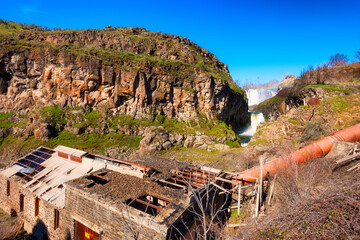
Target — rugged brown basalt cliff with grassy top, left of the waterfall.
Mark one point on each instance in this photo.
(127, 70)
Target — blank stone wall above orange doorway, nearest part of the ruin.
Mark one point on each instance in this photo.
(110, 221)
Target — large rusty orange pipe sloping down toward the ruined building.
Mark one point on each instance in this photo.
(316, 149)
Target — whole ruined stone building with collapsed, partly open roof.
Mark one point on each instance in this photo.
(64, 193)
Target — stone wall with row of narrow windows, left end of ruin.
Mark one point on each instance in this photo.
(42, 226)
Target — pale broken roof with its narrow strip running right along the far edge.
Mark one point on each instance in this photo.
(44, 172)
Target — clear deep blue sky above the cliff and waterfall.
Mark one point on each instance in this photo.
(258, 40)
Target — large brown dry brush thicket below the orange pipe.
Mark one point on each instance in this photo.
(313, 204)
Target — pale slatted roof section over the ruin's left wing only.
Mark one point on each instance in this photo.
(52, 171)
